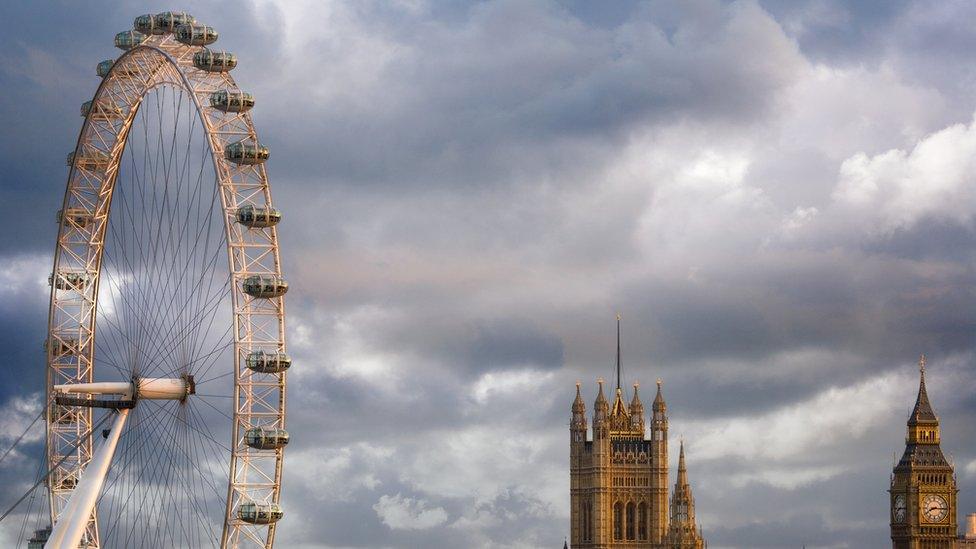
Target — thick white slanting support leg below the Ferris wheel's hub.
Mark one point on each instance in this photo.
(70, 526)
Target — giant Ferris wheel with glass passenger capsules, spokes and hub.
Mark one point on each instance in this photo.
(166, 359)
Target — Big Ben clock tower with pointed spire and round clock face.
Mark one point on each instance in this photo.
(923, 485)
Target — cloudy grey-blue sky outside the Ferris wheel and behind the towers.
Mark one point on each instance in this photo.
(778, 197)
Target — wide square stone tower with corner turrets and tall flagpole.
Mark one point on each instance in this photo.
(619, 478)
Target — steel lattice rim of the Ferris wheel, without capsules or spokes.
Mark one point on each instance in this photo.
(258, 397)
